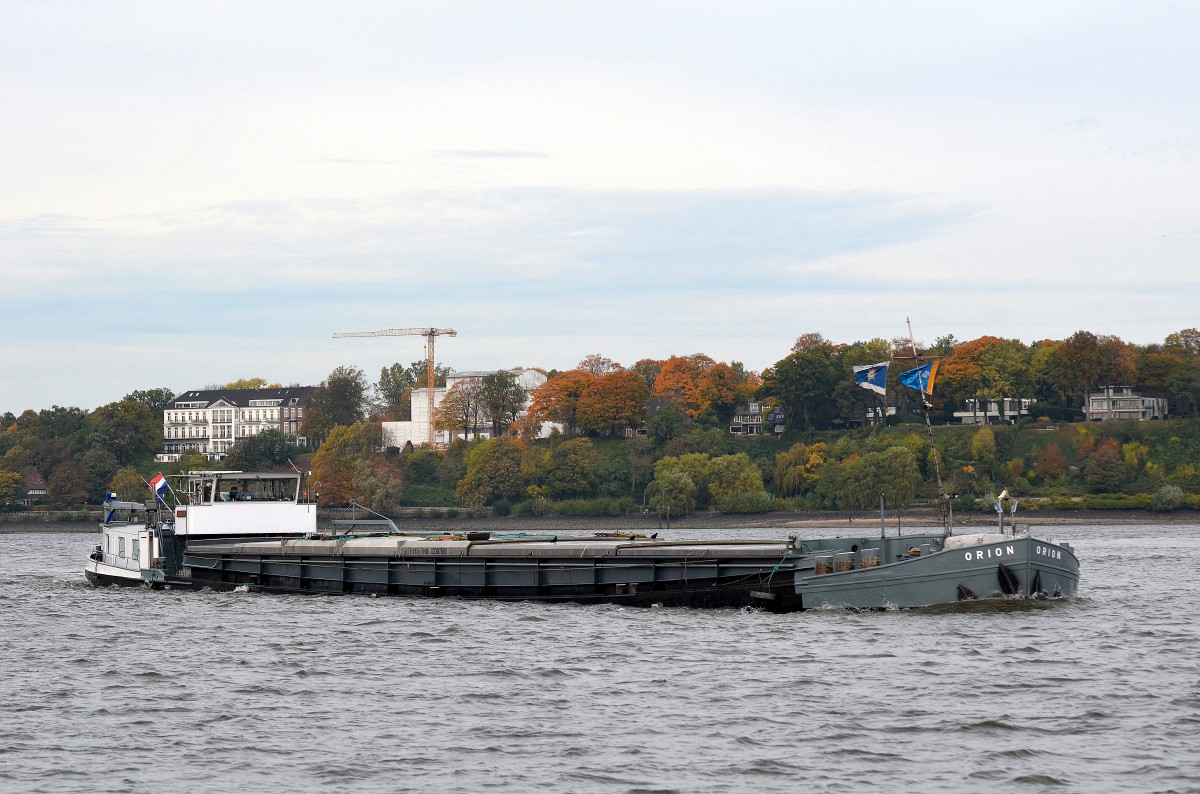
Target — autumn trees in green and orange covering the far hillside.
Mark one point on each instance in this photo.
(674, 408)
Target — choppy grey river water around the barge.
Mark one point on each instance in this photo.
(154, 691)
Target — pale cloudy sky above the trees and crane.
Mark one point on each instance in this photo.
(196, 194)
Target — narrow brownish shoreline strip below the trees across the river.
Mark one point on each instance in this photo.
(649, 524)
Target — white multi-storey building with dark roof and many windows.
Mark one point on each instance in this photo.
(213, 422)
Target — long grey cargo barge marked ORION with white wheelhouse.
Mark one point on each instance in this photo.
(207, 544)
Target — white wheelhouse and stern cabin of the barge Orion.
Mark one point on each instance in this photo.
(145, 544)
